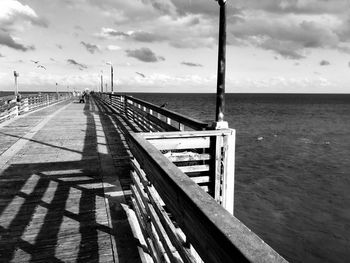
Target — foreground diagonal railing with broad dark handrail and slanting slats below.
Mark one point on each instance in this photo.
(214, 233)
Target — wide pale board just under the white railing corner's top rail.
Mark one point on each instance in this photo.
(181, 143)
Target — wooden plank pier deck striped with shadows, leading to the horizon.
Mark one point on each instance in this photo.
(62, 172)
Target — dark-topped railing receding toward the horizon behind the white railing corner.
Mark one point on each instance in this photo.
(150, 117)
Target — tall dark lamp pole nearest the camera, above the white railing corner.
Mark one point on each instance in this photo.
(220, 95)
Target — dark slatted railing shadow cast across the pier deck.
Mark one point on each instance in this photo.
(54, 211)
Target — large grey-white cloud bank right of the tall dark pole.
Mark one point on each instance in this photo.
(289, 36)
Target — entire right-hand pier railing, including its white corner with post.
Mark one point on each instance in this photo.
(183, 187)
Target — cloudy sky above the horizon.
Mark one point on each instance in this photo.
(273, 46)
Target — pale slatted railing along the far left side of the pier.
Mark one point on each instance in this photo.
(12, 108)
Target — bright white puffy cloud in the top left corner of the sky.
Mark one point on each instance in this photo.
(13, 15)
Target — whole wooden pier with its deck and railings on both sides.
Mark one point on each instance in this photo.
(118, 179)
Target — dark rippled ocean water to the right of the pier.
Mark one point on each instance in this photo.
(292, 185)
